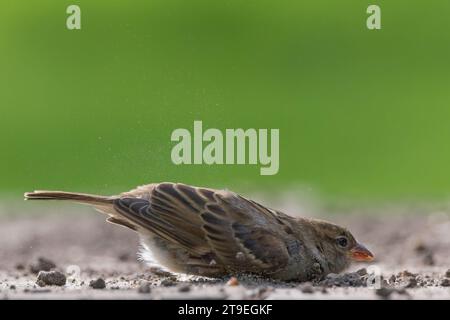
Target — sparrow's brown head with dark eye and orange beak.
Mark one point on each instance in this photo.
(339, 246)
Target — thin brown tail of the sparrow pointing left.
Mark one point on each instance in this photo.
(71, 196)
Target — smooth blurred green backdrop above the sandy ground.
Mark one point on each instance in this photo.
(362, 114)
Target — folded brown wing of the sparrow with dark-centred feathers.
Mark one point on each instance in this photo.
(241, 233)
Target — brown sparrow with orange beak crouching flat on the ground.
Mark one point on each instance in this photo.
(216, 233)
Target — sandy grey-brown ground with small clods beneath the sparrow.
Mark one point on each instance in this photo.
(413, 257)
